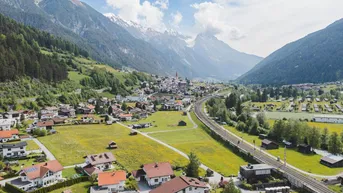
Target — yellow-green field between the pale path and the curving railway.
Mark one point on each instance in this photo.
(210, 152)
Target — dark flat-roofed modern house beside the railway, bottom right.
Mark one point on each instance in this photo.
(255, 172)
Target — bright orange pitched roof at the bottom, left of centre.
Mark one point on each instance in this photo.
(110, 178)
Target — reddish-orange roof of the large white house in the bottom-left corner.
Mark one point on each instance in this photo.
(39, 170)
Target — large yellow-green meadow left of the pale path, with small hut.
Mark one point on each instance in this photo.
(72, 143)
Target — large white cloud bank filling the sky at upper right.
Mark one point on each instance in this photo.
(261, 27)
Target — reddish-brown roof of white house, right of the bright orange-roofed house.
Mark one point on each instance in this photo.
(158, 169)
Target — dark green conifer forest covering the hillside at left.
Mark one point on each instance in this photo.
(20, 53)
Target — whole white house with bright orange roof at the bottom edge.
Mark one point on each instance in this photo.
(110, 182)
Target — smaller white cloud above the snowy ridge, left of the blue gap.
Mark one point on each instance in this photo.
(145, 13)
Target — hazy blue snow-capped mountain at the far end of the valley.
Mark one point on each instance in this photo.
(206, 57)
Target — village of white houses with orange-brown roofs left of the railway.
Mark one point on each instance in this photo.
(28, 164)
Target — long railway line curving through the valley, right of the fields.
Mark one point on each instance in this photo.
(309, 182)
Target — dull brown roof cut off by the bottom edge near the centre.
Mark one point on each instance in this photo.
(177, 184)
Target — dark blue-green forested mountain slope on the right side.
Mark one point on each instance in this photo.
(315, 58)
